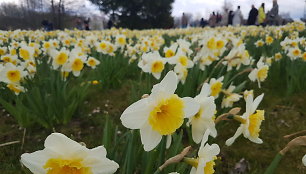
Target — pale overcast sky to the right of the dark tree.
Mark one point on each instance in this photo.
(205, 7)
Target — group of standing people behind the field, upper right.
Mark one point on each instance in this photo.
(235, 18)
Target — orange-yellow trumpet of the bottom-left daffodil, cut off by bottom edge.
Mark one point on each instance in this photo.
(61, 166)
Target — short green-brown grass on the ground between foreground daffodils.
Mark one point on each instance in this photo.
(284, 115)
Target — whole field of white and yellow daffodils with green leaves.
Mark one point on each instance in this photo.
(196, 100)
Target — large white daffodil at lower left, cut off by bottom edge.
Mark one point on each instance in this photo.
(62, 155)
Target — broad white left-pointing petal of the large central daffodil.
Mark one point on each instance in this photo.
(135, 116)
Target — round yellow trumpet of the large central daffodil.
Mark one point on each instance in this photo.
(167, 115)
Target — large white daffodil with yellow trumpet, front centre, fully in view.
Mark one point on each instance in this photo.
(162, 113)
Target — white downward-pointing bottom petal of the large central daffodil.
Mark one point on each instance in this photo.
(149, 138)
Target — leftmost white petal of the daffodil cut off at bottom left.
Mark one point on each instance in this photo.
(35, 161)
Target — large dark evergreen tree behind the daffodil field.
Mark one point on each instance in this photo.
(138, 14)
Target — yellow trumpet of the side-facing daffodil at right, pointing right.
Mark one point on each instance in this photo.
(255, 122)
